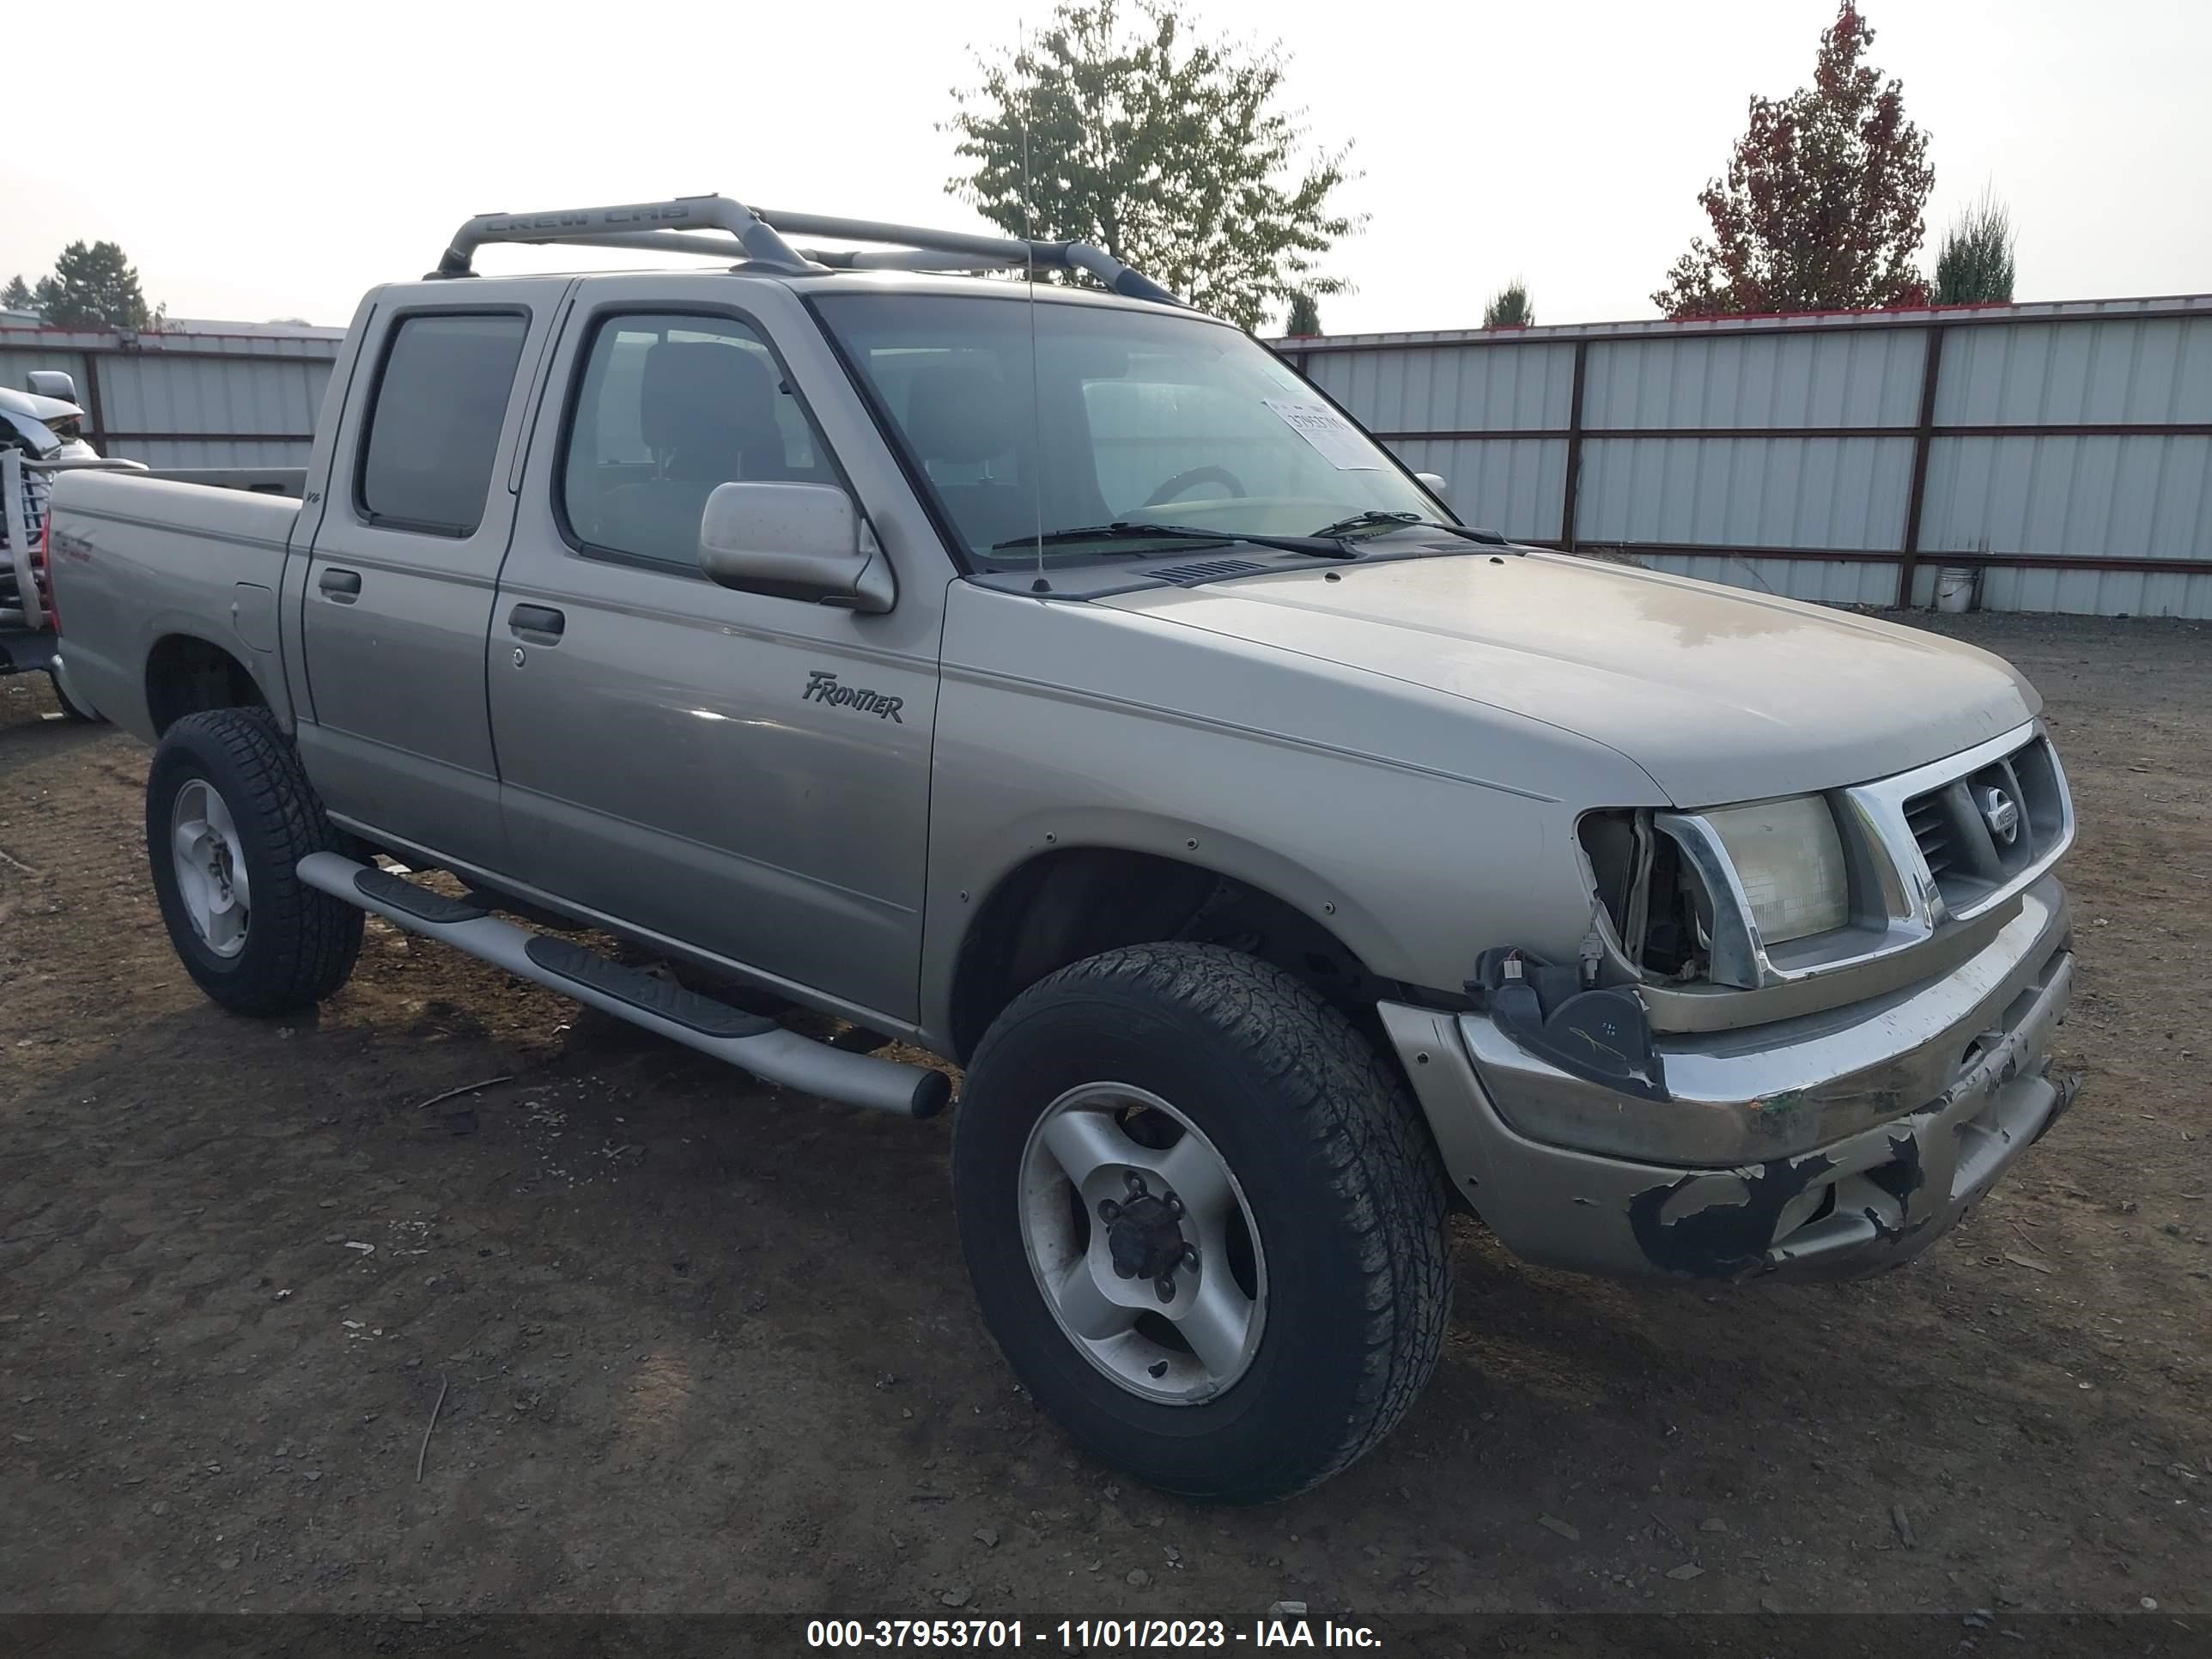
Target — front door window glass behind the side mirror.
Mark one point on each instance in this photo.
(671, 408)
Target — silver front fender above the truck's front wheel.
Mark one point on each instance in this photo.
(1388, 815)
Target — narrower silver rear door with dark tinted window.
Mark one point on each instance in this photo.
(401, 578)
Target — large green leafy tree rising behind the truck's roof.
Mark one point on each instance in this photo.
(1169, 152)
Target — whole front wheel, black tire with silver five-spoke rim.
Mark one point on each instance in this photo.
(1204, 1220)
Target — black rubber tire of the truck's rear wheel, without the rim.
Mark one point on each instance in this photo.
(300, 943)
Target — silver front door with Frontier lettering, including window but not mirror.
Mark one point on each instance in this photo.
(660, 753)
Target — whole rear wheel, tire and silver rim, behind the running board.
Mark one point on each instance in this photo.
(229, 817)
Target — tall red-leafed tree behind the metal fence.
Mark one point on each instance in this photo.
(1824, 198)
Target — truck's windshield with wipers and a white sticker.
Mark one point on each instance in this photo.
(1116, 419)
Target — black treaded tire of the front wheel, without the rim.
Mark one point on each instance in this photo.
(1333, 1158)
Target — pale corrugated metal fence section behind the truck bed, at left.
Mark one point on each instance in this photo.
(191, 395)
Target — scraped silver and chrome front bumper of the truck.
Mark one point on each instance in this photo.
(1826, 1147)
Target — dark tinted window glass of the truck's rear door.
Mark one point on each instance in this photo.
(437, 421)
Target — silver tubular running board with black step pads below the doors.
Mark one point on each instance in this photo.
(632, 994)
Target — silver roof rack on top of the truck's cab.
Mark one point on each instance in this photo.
(718, 227)
